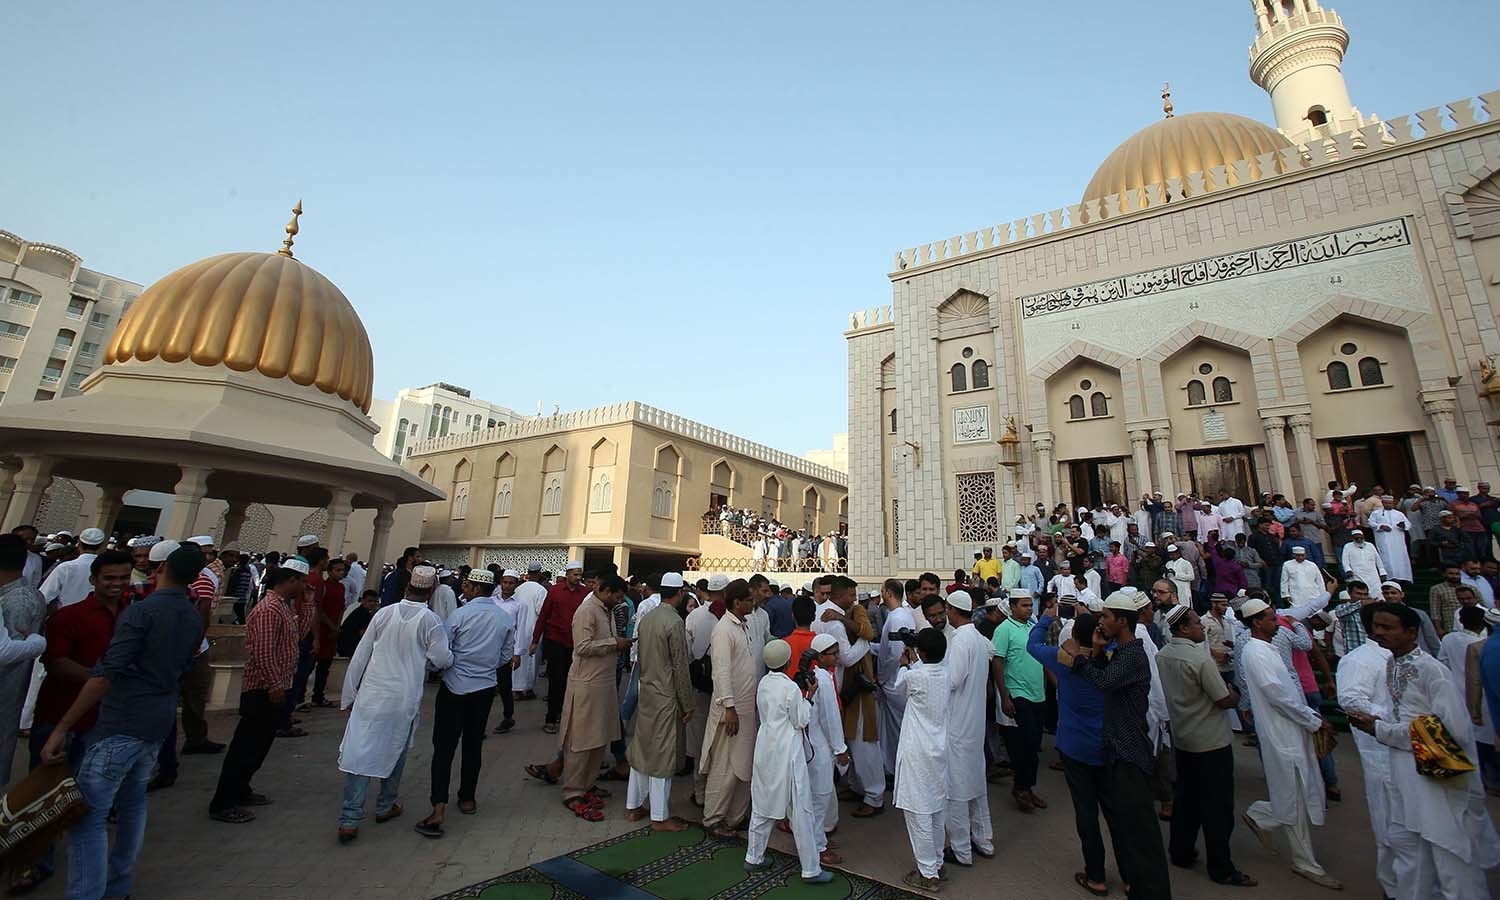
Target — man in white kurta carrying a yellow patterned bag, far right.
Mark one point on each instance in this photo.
(1441, 832)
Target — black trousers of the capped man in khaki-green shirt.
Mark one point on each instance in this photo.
(1204, 799)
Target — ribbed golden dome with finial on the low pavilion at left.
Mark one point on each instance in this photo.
(253, 311)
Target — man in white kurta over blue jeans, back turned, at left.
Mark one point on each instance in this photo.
(383, 685)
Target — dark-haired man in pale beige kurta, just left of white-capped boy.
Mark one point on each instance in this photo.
(730, 739)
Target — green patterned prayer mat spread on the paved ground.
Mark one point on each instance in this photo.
(671, 866)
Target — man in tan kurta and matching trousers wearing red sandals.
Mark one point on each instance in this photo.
(592, 704)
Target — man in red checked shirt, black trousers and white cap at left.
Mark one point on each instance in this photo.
(271, 661)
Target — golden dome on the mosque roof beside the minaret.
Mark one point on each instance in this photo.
(1184, 145)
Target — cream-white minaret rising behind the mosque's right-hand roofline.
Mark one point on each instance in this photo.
(1297, 59)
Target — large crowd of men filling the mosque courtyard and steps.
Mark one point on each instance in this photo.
(1142, 643)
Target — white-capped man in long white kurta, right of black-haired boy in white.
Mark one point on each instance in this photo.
(968, 662)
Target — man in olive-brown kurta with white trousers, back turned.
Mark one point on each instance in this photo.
(662, 713)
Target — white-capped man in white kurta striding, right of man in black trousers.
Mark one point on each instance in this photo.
(1286, 727)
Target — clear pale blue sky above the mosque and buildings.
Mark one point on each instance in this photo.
(587, 203)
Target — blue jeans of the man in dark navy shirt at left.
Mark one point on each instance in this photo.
(113, 773)
